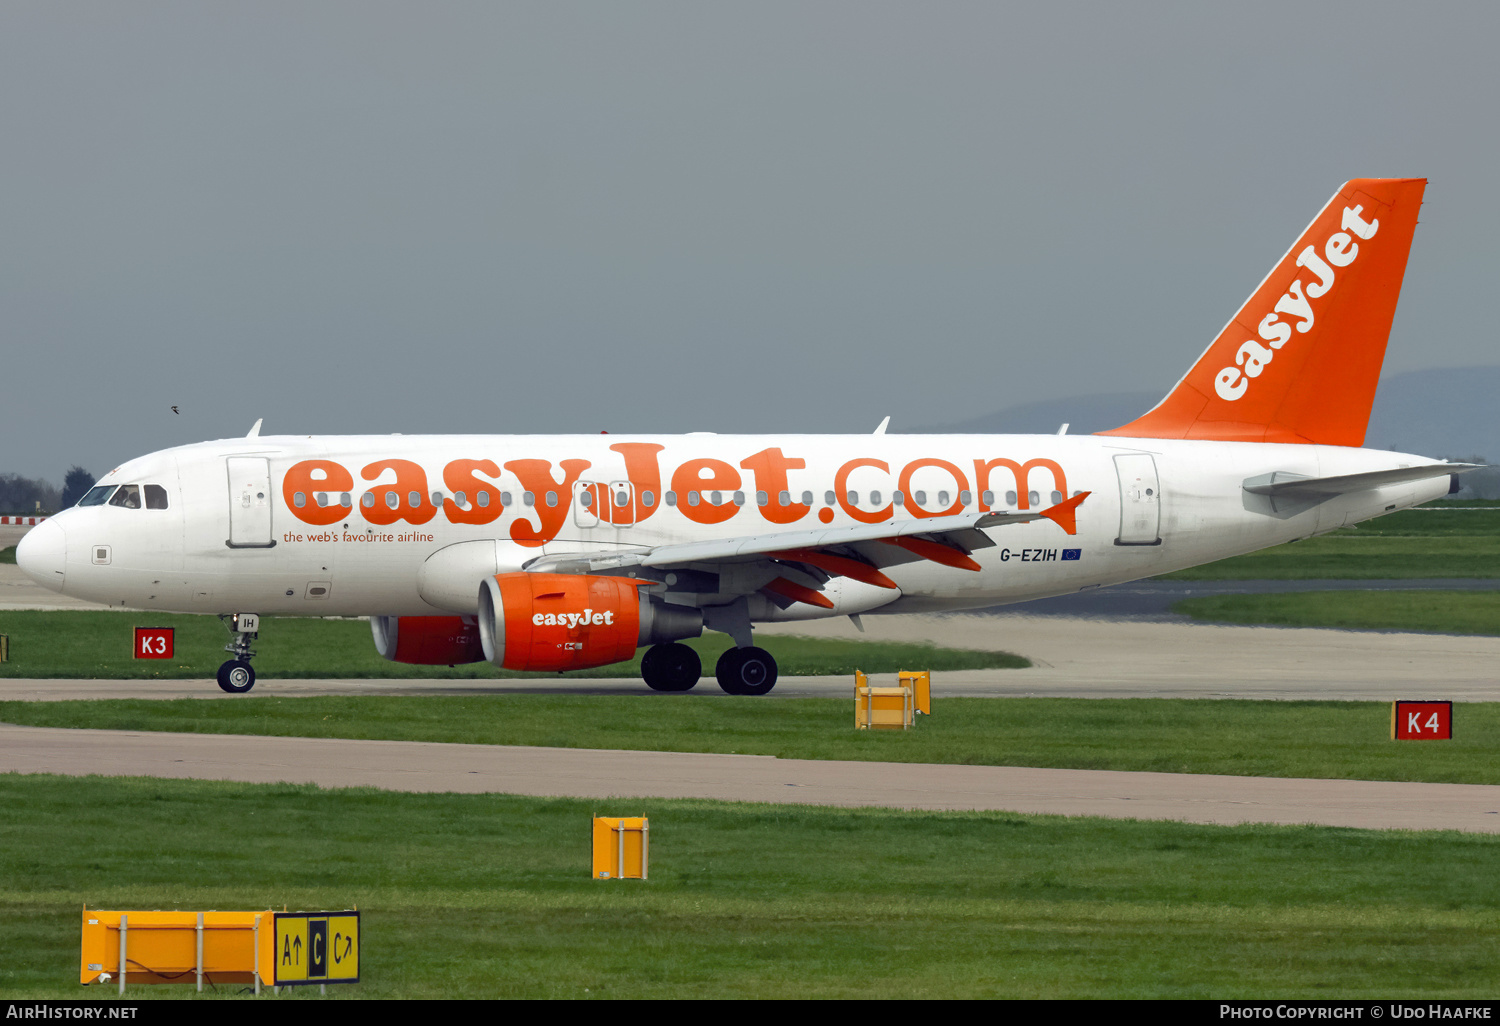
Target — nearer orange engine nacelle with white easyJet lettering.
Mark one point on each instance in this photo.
(562, 622)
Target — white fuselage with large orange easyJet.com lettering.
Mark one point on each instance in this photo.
(238, 536)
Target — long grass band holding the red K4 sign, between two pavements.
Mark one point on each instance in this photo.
(1333, 740)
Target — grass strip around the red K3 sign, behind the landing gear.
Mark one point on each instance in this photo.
(100, 644)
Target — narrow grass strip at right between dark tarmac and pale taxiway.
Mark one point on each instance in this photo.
(1450, 613)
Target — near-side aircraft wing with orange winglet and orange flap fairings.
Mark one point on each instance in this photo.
(818, 554)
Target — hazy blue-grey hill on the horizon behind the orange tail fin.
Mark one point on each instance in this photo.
(1445, 412)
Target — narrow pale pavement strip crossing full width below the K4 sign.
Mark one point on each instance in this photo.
(640, 776)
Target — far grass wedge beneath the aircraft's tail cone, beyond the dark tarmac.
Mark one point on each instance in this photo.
(1430, 542)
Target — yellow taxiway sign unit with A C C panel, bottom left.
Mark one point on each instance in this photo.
(163, 947)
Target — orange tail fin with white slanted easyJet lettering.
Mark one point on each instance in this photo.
(1301, 361)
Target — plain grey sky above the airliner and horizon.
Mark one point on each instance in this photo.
(694, 217)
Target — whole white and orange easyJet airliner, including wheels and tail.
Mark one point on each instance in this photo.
(569, 553)
